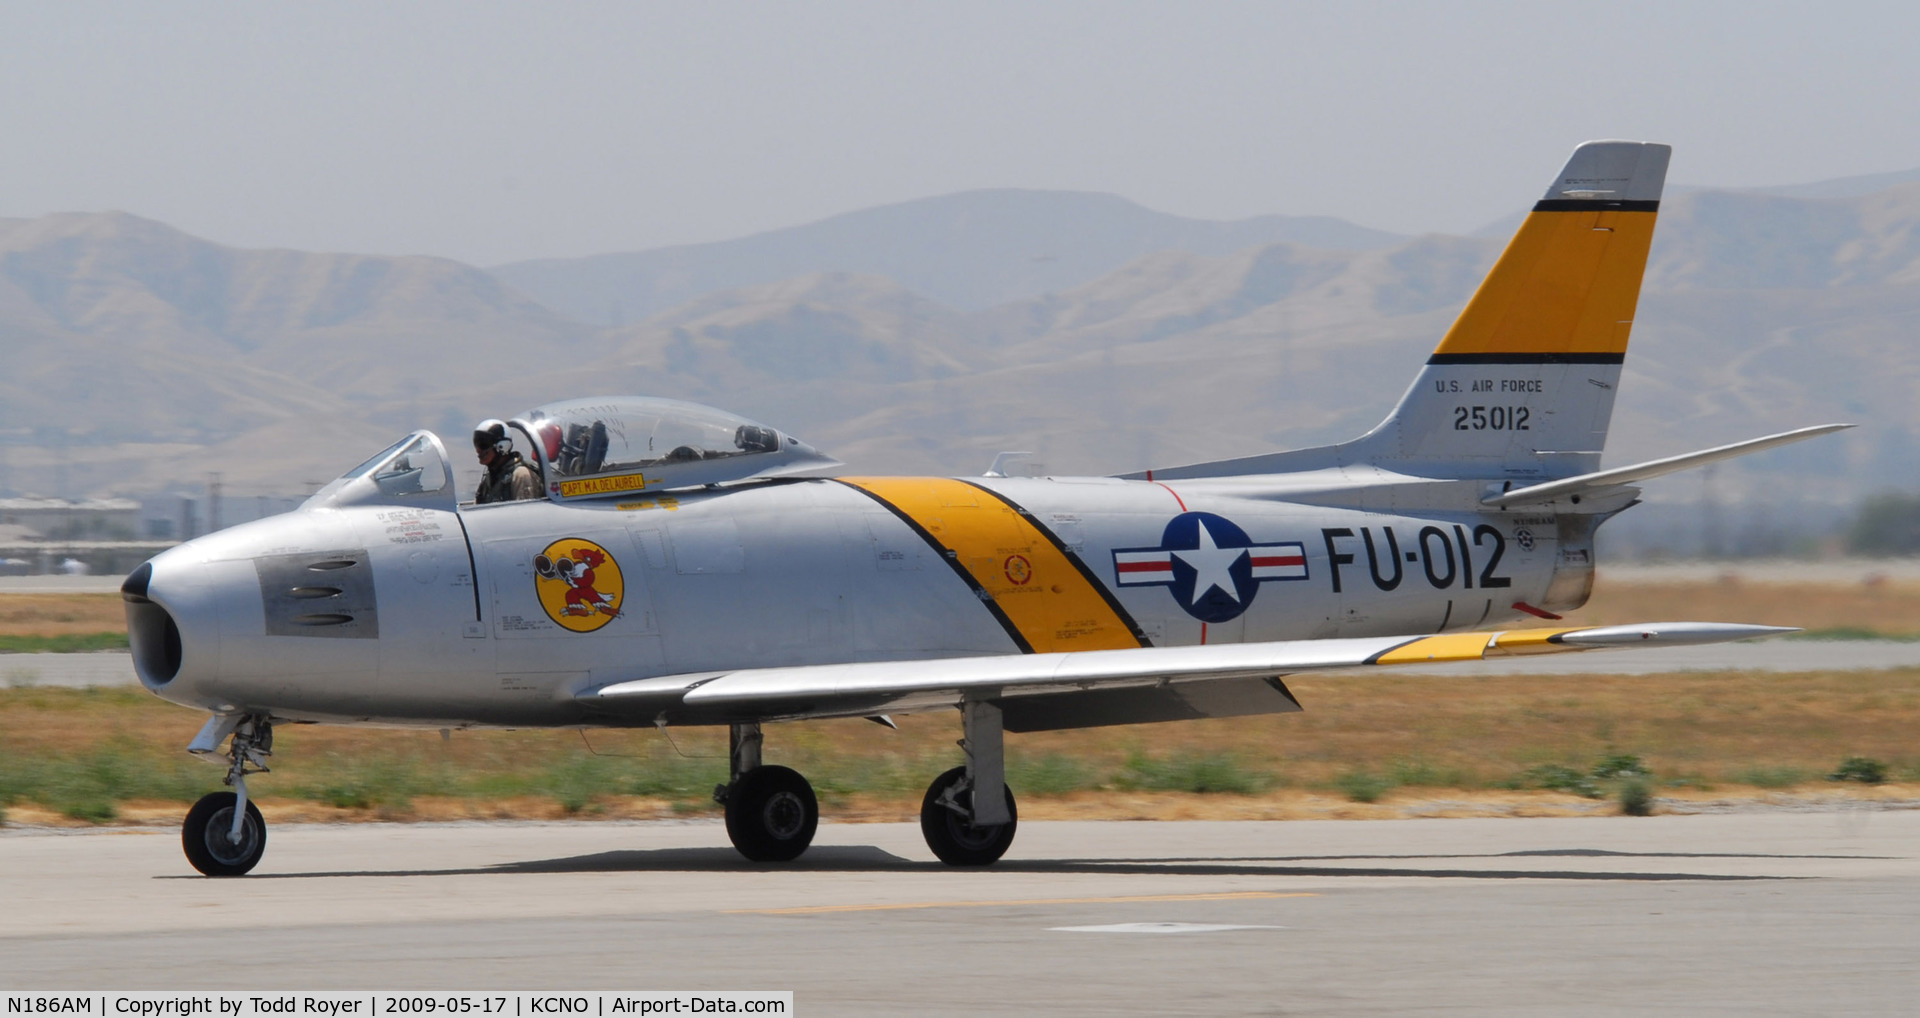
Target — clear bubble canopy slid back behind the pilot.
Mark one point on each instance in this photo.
(625, 445)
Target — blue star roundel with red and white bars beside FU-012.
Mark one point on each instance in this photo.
(1211, 566)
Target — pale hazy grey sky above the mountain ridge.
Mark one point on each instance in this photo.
(504, 132)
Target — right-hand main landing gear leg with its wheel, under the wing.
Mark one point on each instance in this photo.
(969, 815)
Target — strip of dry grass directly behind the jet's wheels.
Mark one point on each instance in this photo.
(1426, 744)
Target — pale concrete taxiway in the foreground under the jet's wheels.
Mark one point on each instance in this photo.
(1762, 913)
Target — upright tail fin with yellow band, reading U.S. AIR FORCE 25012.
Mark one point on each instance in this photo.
(1522, 387)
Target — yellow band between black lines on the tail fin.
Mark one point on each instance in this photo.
(1568, 283)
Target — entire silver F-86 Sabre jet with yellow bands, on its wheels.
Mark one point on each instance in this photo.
(690, 568)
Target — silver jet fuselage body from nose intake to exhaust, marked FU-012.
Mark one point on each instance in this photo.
(433, 616)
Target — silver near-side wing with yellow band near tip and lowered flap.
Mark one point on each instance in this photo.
(1090, 689)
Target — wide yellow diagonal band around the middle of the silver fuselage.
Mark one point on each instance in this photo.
(1040, 593)
